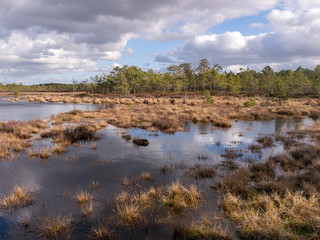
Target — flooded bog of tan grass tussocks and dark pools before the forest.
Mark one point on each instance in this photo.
(78, 175)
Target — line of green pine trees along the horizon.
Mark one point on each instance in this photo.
(183, 78)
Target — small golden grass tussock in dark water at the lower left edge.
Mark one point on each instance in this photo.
(19, 197)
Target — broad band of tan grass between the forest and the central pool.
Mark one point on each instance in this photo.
(170, 114)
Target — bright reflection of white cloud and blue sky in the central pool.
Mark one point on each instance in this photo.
(203, 139)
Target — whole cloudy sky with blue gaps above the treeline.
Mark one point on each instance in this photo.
(44, 41)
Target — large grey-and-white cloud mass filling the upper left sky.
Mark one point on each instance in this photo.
(57, 36)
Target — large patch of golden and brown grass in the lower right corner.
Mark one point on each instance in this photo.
(278, 198)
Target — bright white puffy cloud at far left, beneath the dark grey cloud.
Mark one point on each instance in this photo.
(26, 54)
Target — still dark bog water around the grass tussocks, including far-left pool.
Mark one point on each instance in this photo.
(111, 158)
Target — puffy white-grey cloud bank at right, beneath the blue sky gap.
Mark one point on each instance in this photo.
(294, 40)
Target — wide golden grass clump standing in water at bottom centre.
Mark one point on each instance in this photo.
(133, 208)
